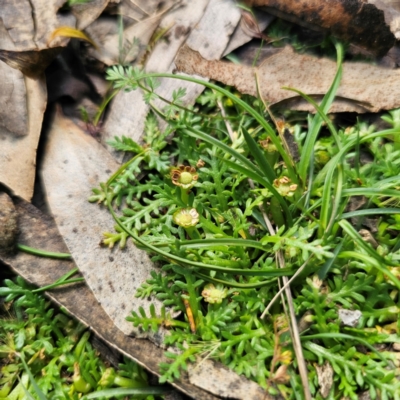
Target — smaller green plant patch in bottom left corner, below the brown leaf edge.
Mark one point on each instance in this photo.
(46, 355)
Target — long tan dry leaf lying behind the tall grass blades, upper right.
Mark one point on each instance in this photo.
(364, 87)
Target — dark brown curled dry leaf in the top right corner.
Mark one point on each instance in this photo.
(350, 20)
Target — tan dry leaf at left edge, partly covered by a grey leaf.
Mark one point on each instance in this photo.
(18, 154)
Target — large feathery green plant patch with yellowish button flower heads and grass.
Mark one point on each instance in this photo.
(227, 211)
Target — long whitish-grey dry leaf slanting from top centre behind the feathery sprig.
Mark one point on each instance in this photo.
(210, 35)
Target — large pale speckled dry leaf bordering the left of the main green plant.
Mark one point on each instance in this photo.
(74, 163)
